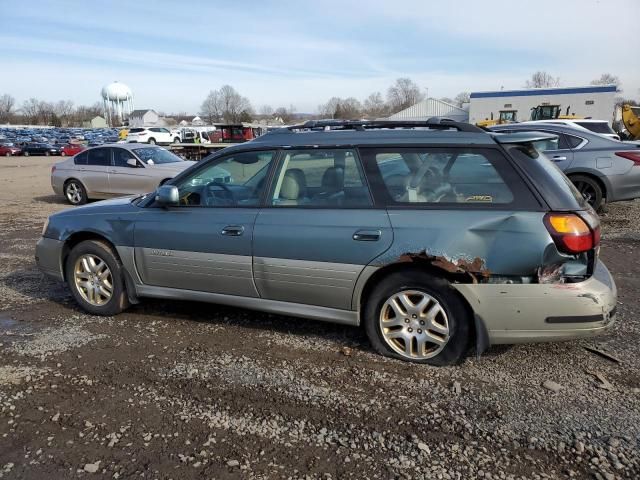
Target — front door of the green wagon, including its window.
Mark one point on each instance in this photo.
(205, 242)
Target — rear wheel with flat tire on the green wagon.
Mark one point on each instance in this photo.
(437, 323)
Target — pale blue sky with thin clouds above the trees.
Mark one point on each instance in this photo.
(281, 53)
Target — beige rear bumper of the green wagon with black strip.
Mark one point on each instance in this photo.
(538, 313)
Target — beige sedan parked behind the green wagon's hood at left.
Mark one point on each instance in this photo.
(113, 170)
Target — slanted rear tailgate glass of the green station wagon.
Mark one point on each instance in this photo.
(553, 184)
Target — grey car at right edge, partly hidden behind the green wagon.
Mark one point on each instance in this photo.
(602, 169)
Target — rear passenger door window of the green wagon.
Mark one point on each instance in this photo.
(321, 178)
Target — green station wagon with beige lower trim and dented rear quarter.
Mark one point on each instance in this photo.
(434, 239)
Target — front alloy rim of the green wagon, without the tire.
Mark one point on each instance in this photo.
(93, 279)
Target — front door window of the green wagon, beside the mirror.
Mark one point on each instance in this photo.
(233, 181)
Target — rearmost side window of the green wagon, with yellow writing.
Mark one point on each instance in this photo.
(445, 176)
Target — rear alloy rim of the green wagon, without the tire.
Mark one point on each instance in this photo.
(414, 324)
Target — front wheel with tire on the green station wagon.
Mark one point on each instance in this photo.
(96, 278)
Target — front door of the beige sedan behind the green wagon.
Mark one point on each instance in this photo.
(125, 179)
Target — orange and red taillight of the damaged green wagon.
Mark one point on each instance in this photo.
(571, 233)
